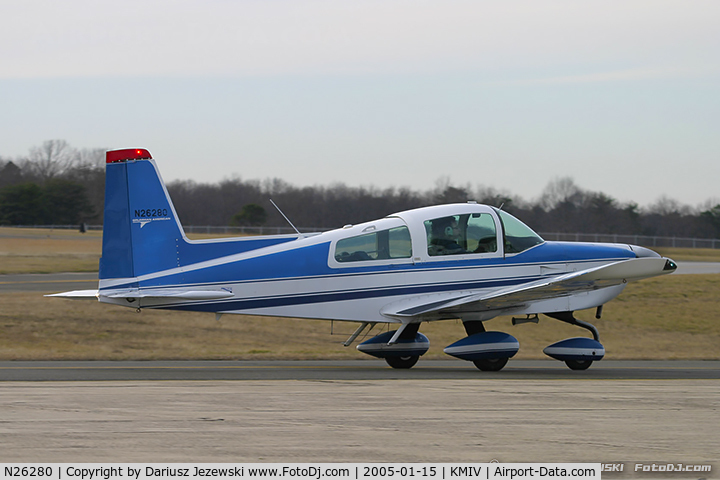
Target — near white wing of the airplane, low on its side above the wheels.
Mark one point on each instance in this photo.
(517, 295)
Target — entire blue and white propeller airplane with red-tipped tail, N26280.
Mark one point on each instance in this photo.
(460, 261)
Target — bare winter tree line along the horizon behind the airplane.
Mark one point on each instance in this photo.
(59, 184)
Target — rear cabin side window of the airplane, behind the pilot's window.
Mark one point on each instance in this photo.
(382, 245)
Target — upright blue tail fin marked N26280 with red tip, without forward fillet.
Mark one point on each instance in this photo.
(141, 230)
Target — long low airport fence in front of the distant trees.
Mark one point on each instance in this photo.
(642, 240)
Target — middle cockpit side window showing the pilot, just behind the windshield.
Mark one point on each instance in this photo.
(461, 234)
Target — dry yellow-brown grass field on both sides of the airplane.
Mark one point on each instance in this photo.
(670, 317)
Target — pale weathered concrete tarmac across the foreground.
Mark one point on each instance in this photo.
(570, 417)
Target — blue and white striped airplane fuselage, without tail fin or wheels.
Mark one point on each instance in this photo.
(305, 277)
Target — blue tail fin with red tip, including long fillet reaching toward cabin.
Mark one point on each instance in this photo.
(142, 233)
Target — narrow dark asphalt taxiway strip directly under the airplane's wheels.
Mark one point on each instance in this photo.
(350, 370)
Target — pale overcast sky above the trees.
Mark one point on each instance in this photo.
(622, 96)
